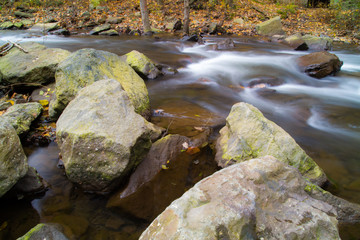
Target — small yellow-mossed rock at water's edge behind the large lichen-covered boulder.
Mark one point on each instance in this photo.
(143, 65)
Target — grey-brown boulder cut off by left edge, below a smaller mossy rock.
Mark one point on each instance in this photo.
(13, 162)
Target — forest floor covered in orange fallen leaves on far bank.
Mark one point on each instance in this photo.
(316, 21)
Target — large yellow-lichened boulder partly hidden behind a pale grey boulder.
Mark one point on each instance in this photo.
(86, 66)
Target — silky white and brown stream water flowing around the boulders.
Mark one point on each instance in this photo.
(323, 115)
